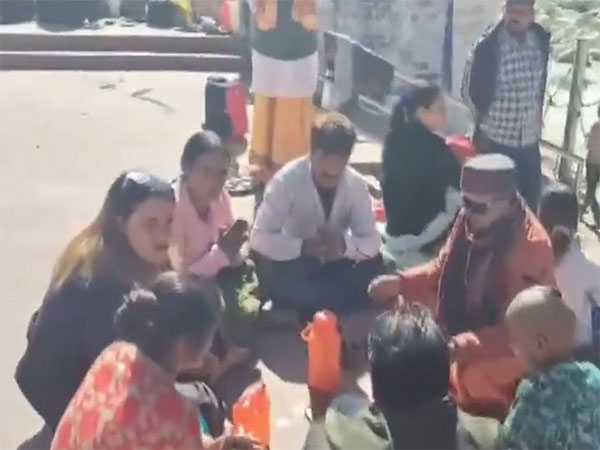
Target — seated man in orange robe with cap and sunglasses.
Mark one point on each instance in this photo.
(496, 249)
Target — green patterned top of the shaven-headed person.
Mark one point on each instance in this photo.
(557, 409)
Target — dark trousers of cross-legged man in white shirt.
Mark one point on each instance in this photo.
(305, 285)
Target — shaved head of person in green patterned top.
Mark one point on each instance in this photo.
(541, 327)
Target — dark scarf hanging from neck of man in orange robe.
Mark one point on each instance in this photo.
(472, 287)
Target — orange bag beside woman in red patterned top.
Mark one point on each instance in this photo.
(251, 414)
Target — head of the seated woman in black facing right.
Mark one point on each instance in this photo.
(425, 104)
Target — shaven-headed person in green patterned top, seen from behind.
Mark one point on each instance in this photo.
(558, 406)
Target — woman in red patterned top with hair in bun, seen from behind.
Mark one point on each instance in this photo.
(128, 398)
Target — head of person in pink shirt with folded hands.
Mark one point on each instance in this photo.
(205, 165)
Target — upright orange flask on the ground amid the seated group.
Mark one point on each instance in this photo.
(324, 352)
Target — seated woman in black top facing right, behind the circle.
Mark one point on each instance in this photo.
(420, 178)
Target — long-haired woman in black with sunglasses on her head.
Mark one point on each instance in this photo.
(125, 246)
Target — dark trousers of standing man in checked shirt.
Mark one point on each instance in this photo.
(528, 162)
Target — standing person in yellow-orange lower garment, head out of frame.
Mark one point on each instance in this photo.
(284, 80)
